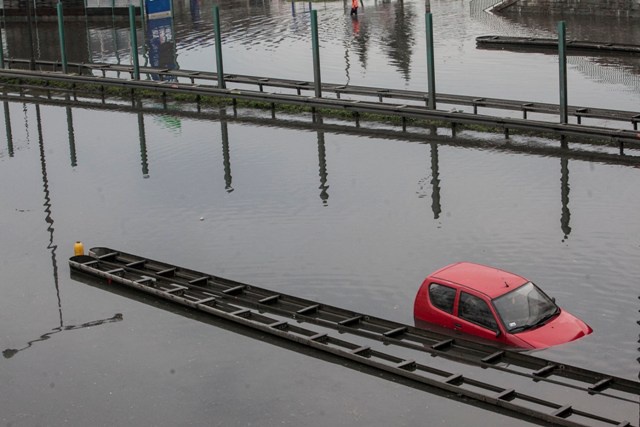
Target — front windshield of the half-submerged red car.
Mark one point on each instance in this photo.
(524, 308)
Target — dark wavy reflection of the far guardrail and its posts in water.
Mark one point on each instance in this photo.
(320, 127)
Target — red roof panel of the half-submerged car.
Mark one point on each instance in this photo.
(491, 281)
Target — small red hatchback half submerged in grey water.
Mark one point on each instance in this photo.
(495, 305)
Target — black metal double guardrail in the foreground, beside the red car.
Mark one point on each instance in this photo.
(254, 307)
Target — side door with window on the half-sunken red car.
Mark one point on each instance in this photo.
(475, 317)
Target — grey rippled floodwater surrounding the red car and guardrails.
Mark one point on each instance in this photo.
(347, 219)
